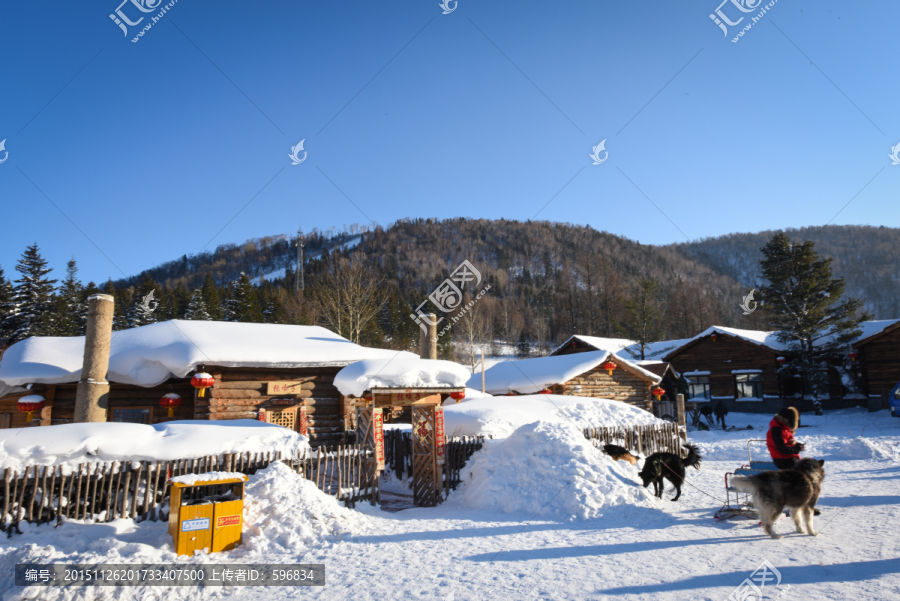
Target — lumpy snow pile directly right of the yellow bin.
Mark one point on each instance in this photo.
(284, 511)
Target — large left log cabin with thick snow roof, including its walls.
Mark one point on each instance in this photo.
(260, 371)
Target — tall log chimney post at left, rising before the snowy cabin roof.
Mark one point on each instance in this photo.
(92, 395)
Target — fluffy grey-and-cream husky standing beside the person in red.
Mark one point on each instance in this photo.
(798, 488)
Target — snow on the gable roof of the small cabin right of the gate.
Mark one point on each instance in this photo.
(533, 375)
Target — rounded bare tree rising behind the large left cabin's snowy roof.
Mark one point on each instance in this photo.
(347, 297)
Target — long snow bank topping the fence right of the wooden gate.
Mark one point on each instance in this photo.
(498, 417)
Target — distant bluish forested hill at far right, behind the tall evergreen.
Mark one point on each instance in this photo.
(866, 256)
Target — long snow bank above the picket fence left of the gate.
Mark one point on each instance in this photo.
(71, 444)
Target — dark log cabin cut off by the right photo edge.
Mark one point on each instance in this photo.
(879, 358)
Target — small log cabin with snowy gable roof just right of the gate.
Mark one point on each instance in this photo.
(575, 374)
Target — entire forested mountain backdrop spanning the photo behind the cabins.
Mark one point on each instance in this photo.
(547, 282)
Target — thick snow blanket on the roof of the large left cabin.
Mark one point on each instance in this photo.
(150, 355)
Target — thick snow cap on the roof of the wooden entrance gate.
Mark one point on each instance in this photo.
(401, 370)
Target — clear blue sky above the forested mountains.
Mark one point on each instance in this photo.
(125, 155)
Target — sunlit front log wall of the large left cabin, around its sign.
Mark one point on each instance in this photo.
(238, 393)
